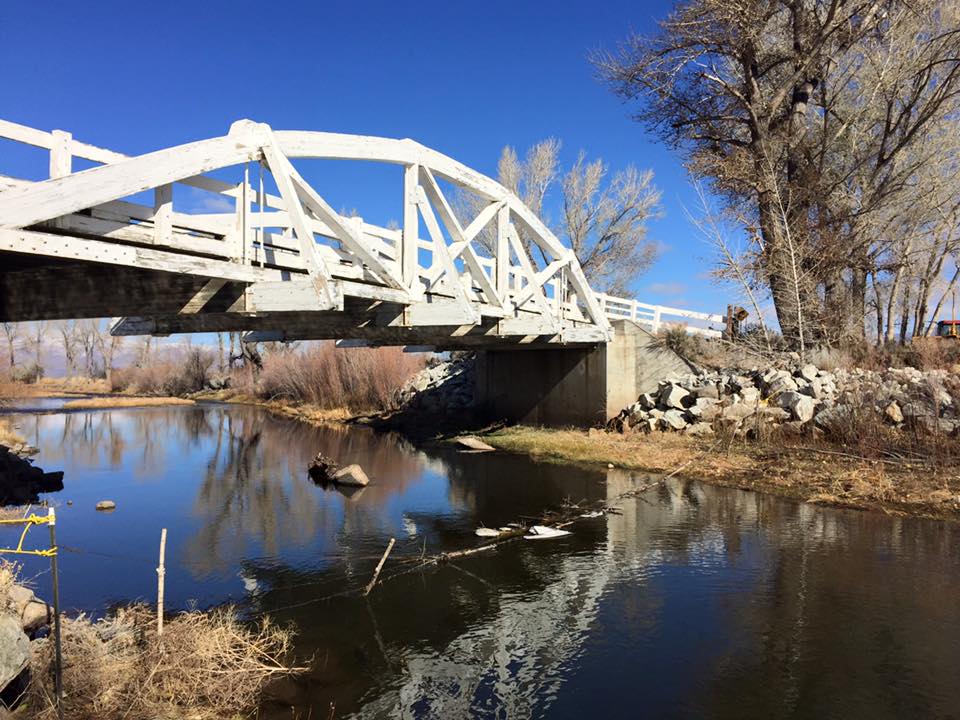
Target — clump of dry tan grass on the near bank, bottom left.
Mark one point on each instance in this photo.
(207, 665)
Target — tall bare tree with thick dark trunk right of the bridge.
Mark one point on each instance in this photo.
(818, 118)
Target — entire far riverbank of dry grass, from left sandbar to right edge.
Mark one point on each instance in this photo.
(805, 469)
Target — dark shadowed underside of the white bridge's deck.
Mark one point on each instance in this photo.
(159, 303)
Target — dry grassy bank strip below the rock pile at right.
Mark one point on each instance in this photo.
(816, 473)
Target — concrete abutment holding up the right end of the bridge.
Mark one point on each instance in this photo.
(580, 387)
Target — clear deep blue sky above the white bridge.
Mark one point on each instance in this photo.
(464, 78)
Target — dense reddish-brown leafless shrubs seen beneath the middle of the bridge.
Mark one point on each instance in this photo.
(330, 377)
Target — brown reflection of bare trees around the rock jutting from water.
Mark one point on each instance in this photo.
(256, 487)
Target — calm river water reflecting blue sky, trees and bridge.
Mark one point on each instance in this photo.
(695, 602)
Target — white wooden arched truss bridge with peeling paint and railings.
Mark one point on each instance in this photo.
(105, 239)
